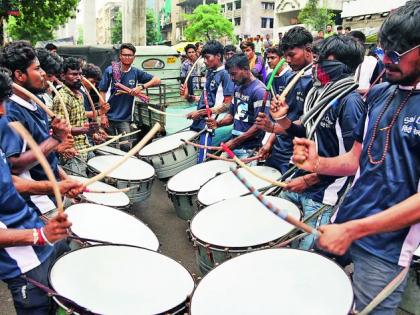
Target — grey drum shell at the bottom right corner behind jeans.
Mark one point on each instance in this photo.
(410, 301)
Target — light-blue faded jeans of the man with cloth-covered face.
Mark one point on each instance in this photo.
(309, 207)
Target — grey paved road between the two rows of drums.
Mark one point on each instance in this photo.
(158, 213)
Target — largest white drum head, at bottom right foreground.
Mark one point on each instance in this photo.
(274, 281)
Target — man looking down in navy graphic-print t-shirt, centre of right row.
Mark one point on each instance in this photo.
(246, 104)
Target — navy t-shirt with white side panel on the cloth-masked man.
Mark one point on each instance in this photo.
(334, 136)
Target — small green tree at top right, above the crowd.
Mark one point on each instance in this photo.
(314, 17)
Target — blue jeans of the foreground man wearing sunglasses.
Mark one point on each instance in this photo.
(371, 275)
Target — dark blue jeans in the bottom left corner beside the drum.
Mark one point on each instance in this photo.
(29, 299)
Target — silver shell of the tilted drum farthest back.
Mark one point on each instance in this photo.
(169, 163)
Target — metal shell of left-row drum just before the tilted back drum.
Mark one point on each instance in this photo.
(139, 194)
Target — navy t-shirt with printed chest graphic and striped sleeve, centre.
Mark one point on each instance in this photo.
(246, 105)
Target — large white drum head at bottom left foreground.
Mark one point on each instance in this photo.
(121, 280)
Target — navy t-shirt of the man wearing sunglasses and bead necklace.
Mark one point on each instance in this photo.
(378, 187)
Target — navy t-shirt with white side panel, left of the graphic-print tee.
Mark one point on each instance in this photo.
(218, 85)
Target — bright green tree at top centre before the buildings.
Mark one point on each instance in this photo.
(206, 22)
